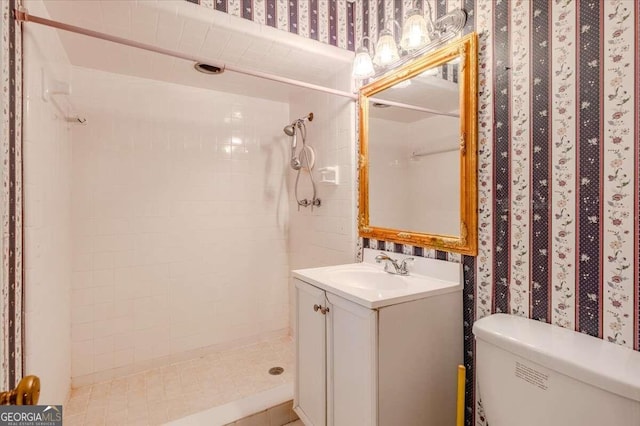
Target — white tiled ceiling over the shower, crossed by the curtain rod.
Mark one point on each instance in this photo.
(191, 29)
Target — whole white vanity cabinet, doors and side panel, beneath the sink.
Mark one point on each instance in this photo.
(373, 362)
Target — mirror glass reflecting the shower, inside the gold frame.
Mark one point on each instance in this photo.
(416, 152)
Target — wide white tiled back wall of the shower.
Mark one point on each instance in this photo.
(180, 217)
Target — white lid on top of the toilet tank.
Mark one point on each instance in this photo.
(608, 366)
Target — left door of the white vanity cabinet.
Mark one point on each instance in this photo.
(311, 373)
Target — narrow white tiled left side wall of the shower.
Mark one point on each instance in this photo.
(47, 227)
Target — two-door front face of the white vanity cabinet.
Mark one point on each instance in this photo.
(335, 359)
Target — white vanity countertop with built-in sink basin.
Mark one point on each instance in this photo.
(435, 277)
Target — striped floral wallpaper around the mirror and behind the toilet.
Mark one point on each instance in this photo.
(558, 166)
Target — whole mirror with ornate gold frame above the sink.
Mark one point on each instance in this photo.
(418, 151)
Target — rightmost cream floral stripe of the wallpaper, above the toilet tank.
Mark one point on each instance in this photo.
(621, 140)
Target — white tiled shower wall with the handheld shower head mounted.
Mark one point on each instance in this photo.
(326, 235)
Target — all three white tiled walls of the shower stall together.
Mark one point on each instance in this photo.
(165, 228)
